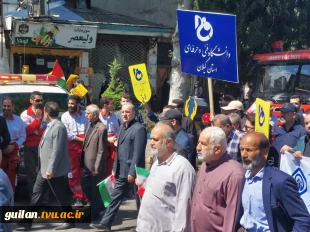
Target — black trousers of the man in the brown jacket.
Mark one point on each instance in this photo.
(90, 188)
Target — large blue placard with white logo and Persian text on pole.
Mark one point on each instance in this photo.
(208, 44)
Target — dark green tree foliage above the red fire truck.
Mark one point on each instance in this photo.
(261, 22)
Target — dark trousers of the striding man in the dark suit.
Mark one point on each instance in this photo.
(118, 194)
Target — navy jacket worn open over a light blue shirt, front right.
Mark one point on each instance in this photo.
(285, 210)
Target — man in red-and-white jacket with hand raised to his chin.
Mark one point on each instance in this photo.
(35, 126)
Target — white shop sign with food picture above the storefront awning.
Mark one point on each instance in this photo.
(54, 35)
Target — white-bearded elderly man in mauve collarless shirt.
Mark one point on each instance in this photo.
(218, 183)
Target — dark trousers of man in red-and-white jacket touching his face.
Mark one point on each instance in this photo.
(32, 162)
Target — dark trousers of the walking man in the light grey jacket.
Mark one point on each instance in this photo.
(57, 186)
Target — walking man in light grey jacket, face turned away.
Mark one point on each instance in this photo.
(54, 166)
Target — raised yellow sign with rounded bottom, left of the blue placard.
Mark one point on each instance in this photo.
(140, 82)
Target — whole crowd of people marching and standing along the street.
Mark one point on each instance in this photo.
(238, 186)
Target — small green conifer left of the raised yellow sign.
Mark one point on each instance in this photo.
(115, 88)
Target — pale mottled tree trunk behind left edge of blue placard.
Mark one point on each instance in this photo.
(179, 82)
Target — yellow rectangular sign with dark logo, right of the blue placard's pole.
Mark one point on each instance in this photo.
(262, 117)
